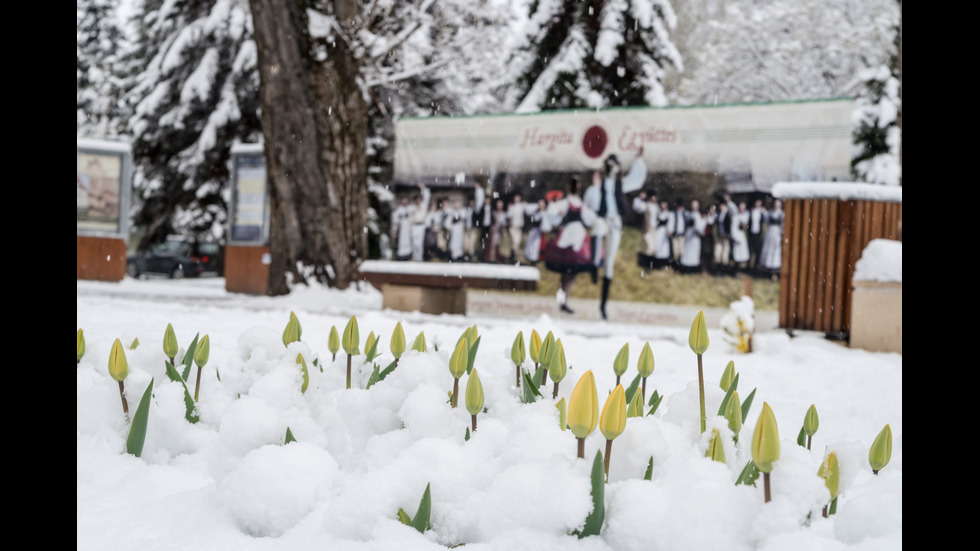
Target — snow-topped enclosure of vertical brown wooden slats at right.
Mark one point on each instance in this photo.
(823, 238)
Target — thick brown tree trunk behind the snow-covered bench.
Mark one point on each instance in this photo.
(314, 122)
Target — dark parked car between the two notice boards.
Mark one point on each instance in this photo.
(177, 258)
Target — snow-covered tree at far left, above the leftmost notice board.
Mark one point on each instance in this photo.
(99, 43)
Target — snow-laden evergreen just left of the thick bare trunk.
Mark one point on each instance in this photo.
(194, 96)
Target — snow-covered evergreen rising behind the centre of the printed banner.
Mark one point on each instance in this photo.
(573, 53)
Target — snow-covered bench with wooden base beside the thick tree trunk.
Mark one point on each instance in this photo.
(440, 287)
